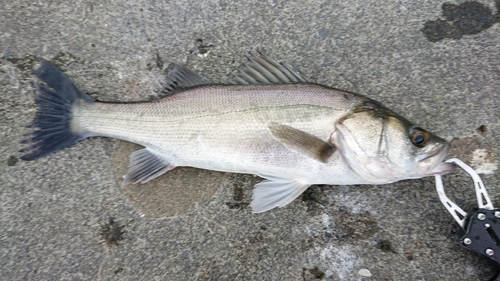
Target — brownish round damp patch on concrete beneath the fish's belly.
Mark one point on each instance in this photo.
(179, 191)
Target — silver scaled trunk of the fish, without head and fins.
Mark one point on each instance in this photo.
(226, 128)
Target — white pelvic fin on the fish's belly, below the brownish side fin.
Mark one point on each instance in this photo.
(275, 192)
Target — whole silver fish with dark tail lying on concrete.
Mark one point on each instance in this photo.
(270, 120)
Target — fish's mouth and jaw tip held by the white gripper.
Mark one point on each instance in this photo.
(434, 160)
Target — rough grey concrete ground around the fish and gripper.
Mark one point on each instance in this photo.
(65, 217)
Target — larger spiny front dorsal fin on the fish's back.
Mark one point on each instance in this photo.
(260, 69)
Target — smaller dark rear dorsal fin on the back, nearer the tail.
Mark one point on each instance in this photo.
(178, 76)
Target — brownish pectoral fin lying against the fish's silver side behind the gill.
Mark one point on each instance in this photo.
(302, 142)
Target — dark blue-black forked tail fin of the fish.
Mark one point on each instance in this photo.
(52, 124)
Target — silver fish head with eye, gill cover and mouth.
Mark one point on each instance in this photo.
(382, 147)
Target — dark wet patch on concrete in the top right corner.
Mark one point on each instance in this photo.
(465, 19)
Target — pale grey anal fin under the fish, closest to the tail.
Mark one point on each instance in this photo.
(145, 166)
